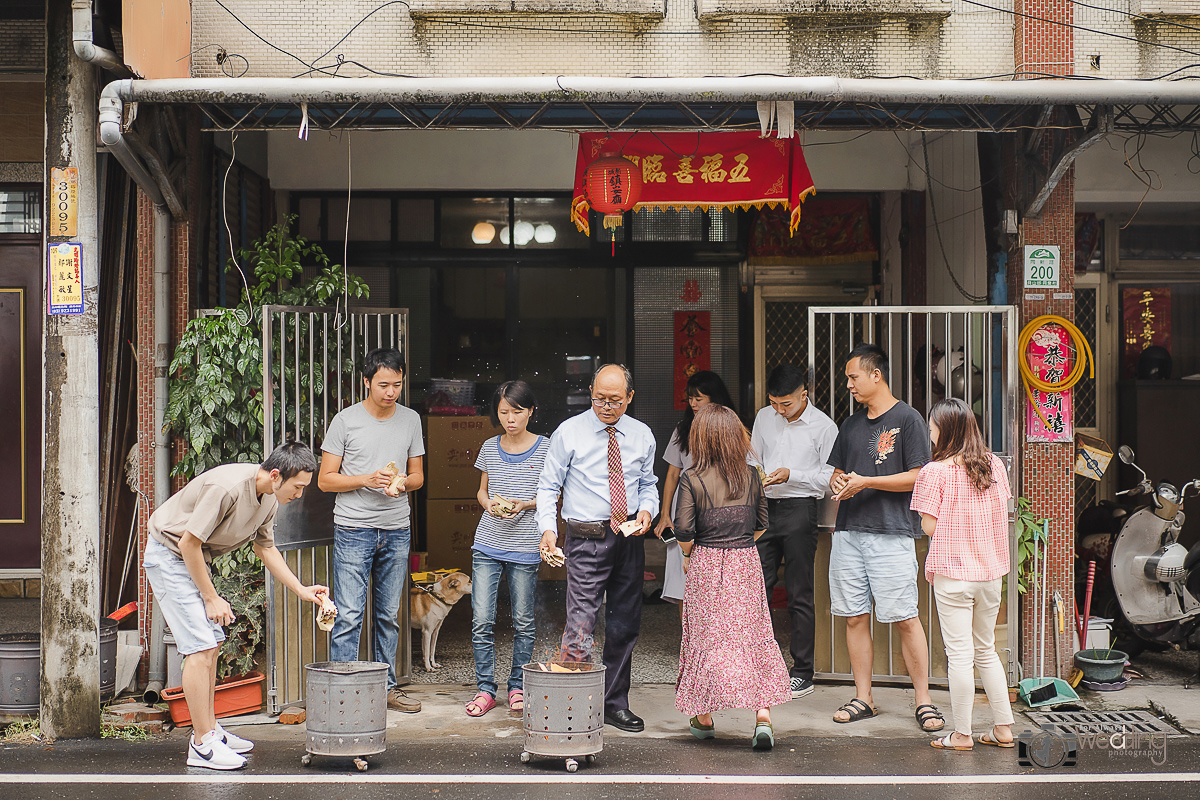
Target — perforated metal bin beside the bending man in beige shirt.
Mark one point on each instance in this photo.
(347, 709)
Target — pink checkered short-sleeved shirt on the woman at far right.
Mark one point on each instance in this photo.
(971, 542)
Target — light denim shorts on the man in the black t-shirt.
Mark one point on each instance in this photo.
(866, 567)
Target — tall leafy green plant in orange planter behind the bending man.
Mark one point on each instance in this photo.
(215, 406)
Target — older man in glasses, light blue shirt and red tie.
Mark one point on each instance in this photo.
(603, 465)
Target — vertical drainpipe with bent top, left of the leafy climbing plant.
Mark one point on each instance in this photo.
(111, 136)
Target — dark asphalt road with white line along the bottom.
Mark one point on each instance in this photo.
(455, 768)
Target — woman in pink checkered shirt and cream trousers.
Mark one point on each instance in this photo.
(963, 498)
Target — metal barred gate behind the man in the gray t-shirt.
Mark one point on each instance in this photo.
(311, 371)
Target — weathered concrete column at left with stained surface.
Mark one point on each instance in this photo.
(70, 682)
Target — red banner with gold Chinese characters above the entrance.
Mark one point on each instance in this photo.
(736, 170)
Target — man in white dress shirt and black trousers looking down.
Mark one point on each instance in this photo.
(793, 441)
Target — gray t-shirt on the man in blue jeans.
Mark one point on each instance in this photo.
(367, 446)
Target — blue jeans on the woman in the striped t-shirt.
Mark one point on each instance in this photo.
(487, 575)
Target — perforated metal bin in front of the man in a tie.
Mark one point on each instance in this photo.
(565, 713)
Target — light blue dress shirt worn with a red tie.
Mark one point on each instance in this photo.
(578, 468)
